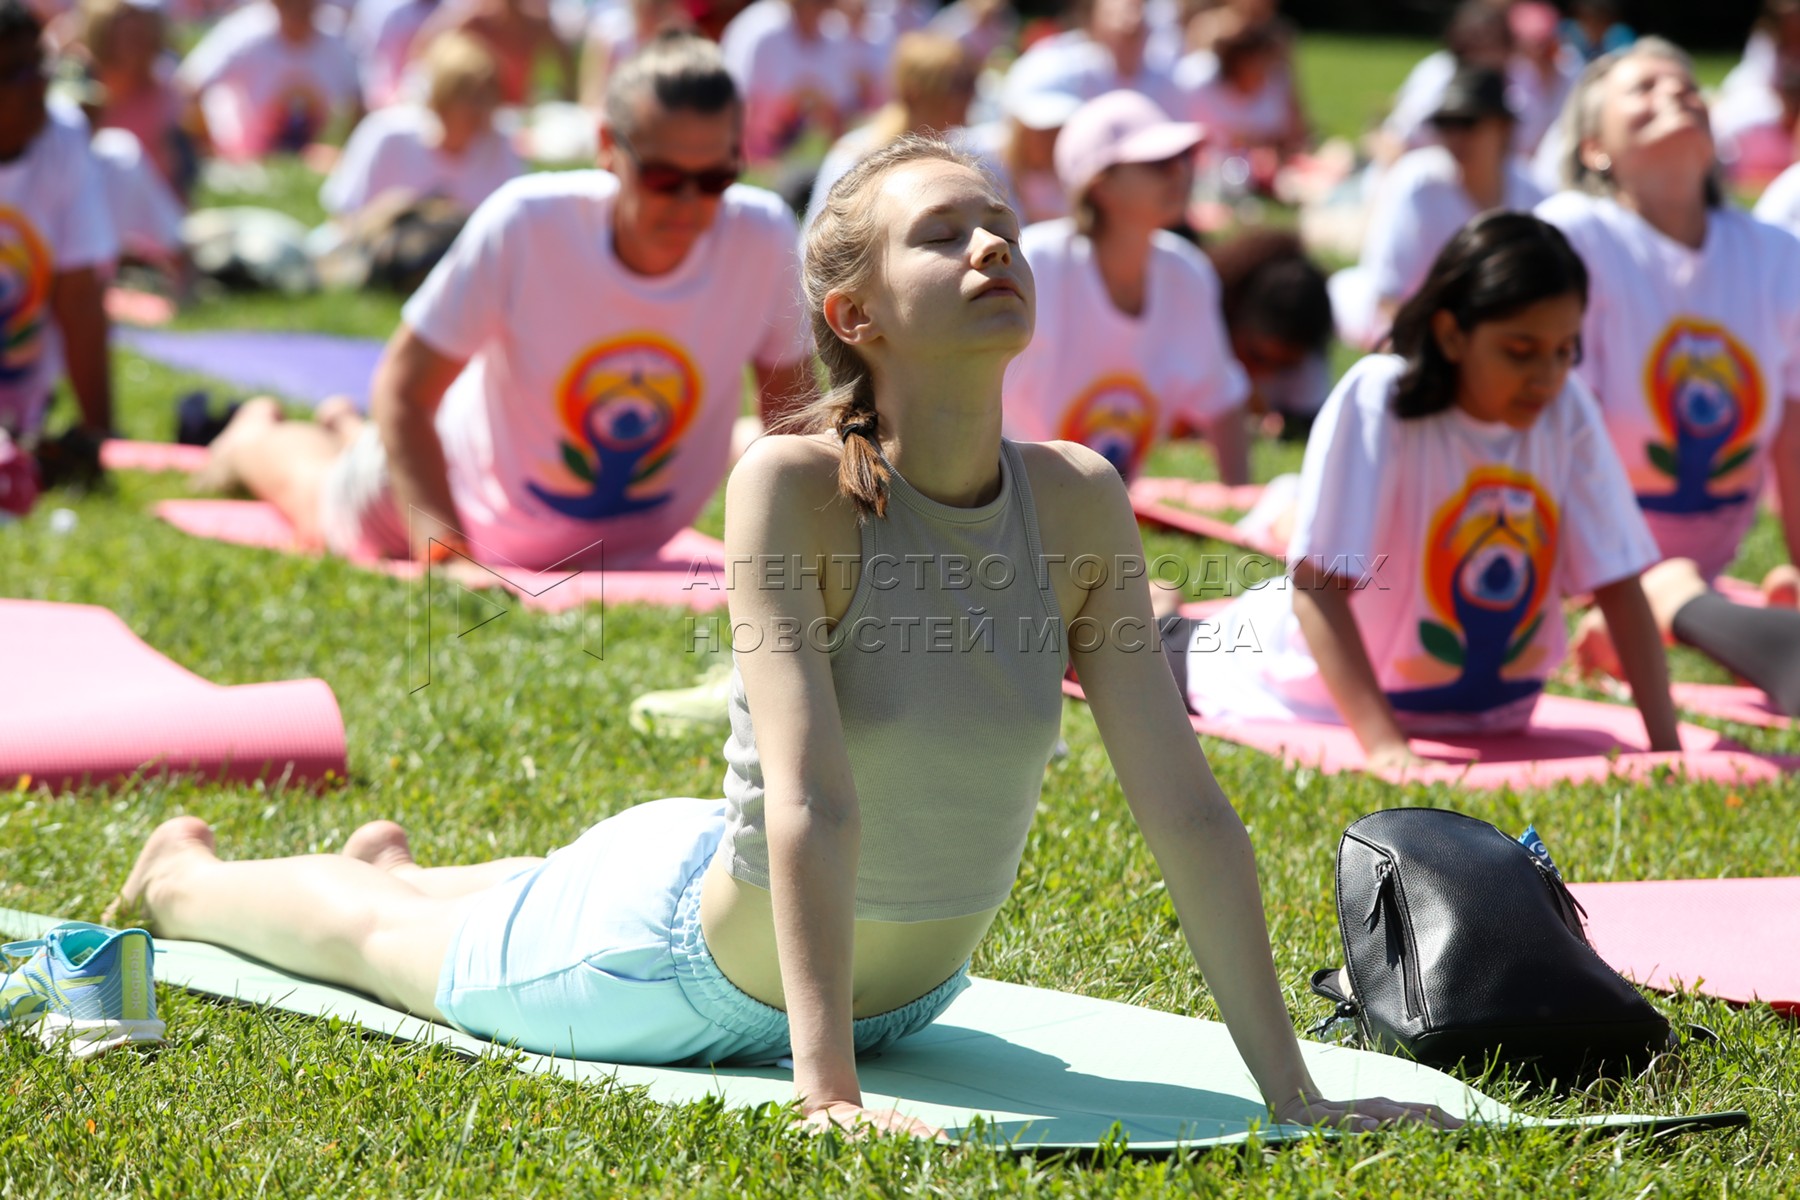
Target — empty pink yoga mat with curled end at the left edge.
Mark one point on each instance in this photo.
(87, 701)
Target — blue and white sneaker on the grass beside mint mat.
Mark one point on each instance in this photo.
(84, 987)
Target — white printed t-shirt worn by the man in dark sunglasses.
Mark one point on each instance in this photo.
(597, 404)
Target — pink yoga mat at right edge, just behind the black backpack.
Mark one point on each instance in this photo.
(1734, 940)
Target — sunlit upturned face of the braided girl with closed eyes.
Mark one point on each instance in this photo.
(951, 278)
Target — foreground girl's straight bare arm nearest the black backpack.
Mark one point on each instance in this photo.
(1194, 834)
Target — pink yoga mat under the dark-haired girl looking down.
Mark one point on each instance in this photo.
(1576, 740)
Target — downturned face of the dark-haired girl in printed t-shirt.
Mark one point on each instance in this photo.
(1511, 368)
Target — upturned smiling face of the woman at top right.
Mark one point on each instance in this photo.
(1653, 118)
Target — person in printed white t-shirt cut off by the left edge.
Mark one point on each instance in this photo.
(57, 246)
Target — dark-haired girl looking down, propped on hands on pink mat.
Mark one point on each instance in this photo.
(1452, 496)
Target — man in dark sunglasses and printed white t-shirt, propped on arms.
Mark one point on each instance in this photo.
(564, 386)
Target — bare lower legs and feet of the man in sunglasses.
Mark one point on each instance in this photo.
(274, 460)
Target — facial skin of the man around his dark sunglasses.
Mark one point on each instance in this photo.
(652, 233)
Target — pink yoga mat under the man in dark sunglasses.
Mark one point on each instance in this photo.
(688, 571)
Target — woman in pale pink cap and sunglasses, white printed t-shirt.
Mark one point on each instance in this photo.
(1131, 339)
